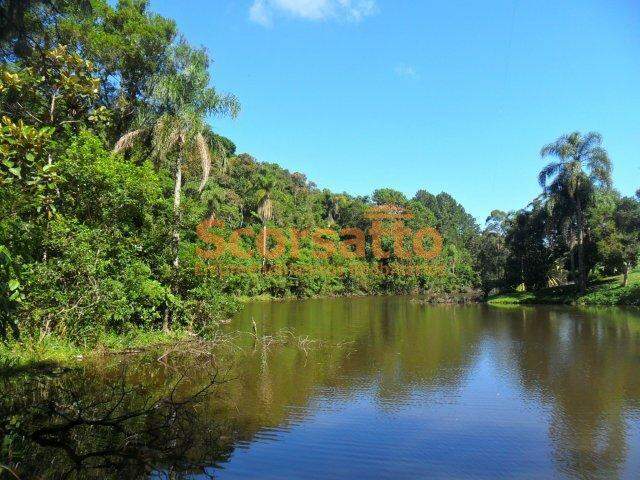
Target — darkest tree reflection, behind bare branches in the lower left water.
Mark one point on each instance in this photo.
(81, 425)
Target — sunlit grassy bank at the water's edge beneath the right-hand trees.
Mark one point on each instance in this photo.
(606, 292)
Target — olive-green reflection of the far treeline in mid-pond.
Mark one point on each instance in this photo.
(386, 345)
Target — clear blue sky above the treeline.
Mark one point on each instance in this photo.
(456, 96)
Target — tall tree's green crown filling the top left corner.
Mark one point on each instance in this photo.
(124, 40)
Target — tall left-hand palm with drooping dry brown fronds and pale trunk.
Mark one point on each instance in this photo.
(180, 100)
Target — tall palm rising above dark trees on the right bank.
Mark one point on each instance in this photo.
(580, 165)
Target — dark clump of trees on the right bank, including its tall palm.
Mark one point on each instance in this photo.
(577, 230)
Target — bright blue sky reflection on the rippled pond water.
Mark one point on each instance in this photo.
(488, 427)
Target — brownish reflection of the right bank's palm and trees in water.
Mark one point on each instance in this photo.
(579, 364)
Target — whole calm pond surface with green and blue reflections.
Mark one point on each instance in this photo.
(353, 388)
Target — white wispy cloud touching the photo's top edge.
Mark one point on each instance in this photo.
(264, 11)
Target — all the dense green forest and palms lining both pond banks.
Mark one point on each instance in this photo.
(108, 166)
